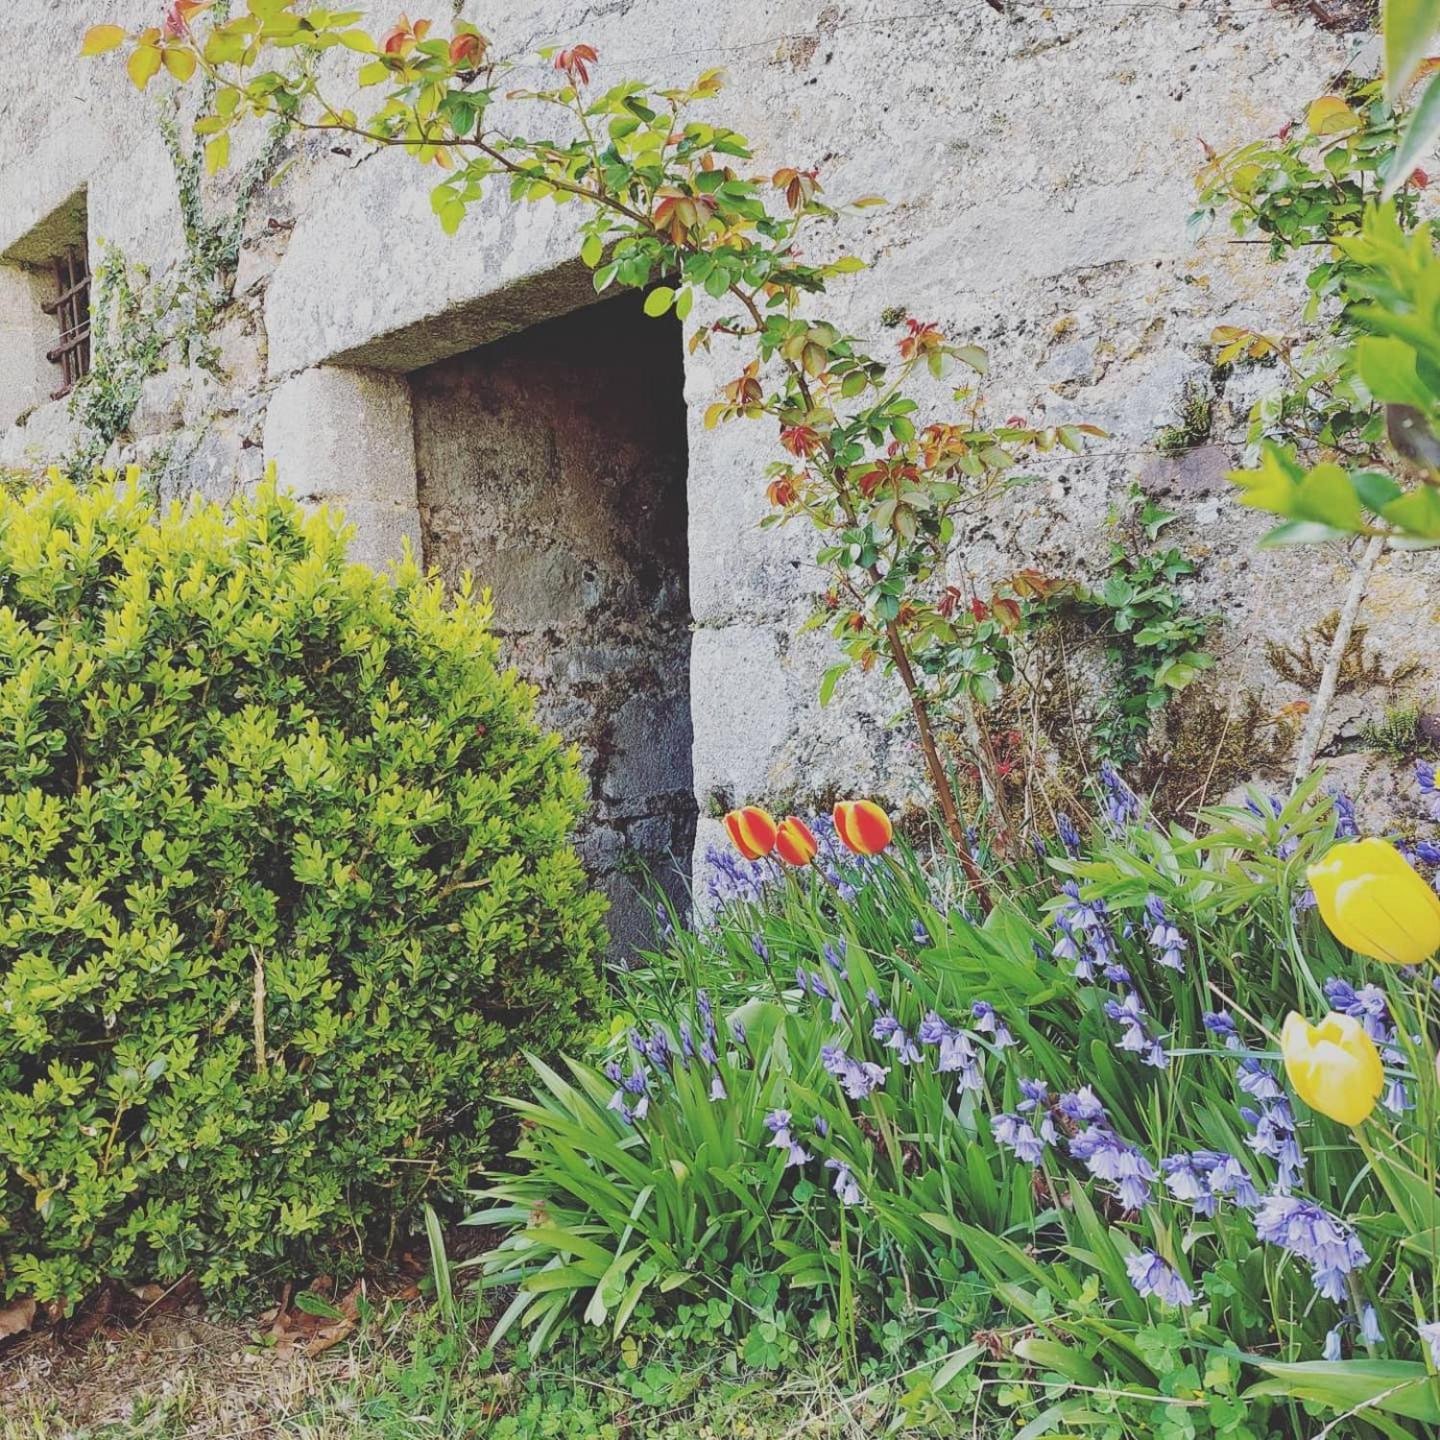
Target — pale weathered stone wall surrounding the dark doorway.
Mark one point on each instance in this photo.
(1039, 165)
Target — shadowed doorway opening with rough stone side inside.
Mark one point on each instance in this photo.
(552, 466)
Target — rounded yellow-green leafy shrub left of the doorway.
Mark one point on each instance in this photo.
(286, 886)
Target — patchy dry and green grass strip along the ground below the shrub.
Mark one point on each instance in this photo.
(410, 1376)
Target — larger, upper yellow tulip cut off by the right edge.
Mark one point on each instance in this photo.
(1376, 902)
